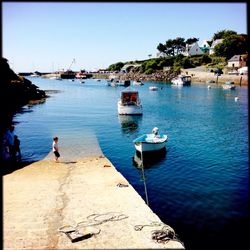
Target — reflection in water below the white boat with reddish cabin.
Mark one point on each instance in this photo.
(129, 123)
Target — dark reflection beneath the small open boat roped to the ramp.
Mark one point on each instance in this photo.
(149, 159)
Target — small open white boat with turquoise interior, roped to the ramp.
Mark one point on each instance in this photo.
(150, 142)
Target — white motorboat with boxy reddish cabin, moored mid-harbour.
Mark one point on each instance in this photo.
(129, 103)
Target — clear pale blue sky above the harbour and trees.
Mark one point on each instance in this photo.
(47, 36)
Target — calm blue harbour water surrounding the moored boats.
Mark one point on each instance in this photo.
(200, 186)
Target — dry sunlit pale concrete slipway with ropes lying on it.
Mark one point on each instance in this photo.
(44, 199)
